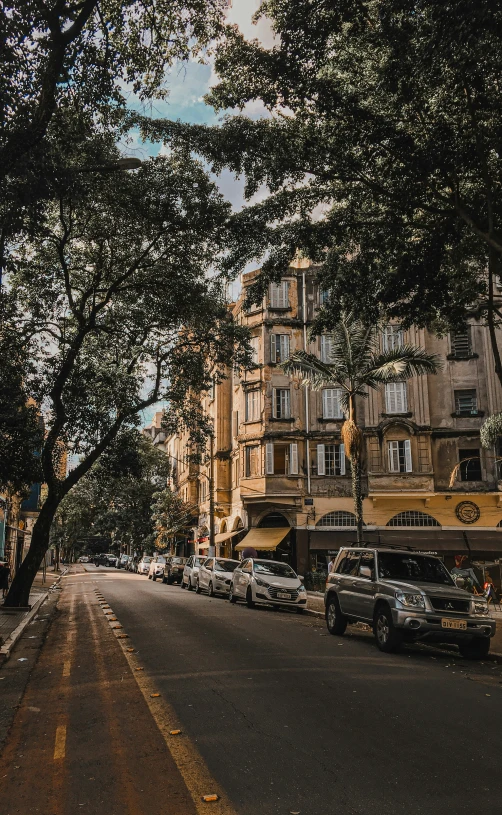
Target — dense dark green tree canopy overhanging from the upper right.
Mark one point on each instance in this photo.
(381, 152)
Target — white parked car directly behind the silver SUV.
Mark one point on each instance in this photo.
(267, 581)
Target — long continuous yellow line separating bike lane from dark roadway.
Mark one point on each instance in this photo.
(187, 758)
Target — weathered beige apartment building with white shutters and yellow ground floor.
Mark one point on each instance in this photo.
(280, 470)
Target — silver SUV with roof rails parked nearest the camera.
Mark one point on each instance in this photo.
(406, 596)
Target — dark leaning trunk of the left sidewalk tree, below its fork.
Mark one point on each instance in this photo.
(19, 592)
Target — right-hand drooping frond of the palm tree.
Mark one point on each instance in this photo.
(401, 363)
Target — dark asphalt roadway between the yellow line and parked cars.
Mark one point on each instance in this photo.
(289, 718)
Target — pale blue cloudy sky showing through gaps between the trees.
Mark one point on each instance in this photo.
(188, 83)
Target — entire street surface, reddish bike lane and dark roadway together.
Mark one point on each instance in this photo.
(276, 715)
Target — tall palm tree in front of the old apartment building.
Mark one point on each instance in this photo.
(357, 364)
